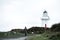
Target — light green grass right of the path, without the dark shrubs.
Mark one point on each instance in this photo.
(44, 36)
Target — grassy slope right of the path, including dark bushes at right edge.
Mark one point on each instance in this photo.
(52, 34)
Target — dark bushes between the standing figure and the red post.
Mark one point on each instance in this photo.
(36, 30)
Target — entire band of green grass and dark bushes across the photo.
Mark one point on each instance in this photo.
(52, 33)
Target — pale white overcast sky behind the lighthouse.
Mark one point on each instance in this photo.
(16, 14)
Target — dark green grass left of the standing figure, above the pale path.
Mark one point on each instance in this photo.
(10, 35)
